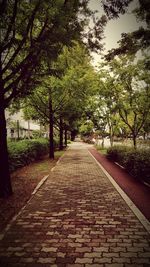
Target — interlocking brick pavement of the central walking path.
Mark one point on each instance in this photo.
(77, 218)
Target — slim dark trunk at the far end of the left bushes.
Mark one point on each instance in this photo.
(51, 134)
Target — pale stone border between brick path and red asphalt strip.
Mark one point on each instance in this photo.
(129, 202)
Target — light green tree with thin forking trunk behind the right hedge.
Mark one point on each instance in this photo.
(131, 92)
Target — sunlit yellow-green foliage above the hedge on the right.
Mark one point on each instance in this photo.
(126, 94)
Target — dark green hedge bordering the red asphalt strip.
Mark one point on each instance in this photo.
(136, 162)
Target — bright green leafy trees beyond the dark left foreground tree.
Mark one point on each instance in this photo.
(58, 100)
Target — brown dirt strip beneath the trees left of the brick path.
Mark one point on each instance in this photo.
(24, 181)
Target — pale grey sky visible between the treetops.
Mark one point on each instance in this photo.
(114, 28)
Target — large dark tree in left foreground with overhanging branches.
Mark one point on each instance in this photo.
(28, 29)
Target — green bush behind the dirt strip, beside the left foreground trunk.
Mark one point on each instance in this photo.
(23, 152)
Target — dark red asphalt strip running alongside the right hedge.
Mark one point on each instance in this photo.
(135, 190)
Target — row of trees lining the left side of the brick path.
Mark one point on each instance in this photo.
(44, 53)
